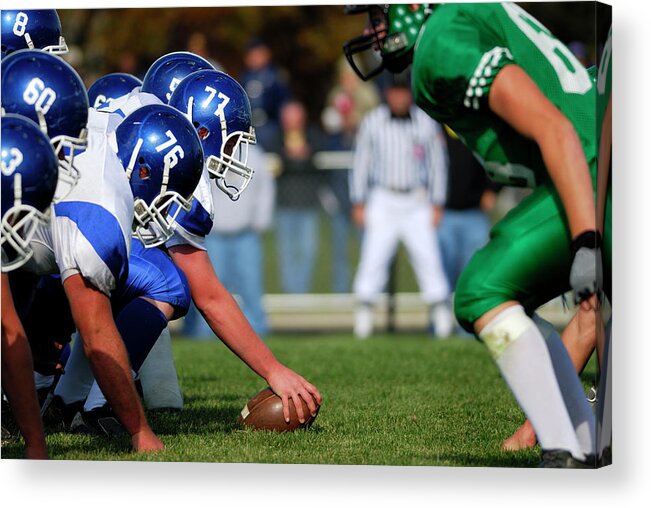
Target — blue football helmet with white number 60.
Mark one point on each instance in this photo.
(47, 90)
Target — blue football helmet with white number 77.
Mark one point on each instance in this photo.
(219, 108)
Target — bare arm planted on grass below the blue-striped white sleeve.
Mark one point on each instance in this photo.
(103, 346)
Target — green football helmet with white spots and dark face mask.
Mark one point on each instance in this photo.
(389, 38)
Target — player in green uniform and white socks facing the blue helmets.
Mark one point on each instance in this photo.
(525, 106)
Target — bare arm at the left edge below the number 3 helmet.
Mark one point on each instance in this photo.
(18, 377)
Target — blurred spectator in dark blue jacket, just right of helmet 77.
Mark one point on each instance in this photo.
(267, 89)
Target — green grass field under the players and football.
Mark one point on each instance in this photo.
(394, 400)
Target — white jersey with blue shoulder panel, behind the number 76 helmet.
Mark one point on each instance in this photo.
(90, 230)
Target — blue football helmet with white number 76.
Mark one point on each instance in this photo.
(162, 155)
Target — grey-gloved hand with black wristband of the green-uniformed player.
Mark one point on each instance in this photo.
(586, 267)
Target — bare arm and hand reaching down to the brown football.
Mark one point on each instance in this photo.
(226, 320)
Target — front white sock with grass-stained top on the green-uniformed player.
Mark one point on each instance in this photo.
(520, 352)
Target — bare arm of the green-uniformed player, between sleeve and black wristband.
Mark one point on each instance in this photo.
(517, 100)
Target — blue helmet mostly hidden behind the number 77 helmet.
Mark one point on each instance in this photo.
(167, 72)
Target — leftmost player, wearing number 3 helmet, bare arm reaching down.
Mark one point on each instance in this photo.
(29, 179)
